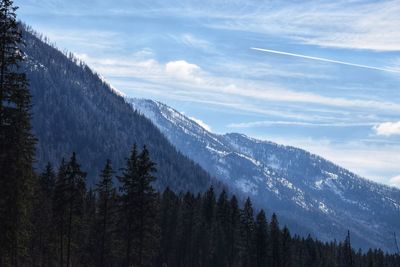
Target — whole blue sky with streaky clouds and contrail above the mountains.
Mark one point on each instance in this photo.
(320, 75)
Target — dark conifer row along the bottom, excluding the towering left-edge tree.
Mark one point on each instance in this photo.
(123, 221)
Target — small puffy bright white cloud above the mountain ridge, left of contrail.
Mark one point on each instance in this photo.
(183, 70)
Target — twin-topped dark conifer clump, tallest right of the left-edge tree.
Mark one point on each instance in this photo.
(139, 210)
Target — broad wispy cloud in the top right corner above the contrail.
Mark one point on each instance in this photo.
(341, 24)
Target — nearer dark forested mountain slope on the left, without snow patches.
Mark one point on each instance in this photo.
(75, 110)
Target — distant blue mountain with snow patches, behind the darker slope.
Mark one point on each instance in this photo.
(309, 193)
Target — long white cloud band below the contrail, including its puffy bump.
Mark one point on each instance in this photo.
(181, 74)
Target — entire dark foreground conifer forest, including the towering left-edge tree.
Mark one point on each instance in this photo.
(53, 218)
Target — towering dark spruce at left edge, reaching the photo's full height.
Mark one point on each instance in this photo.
(16, 143)
